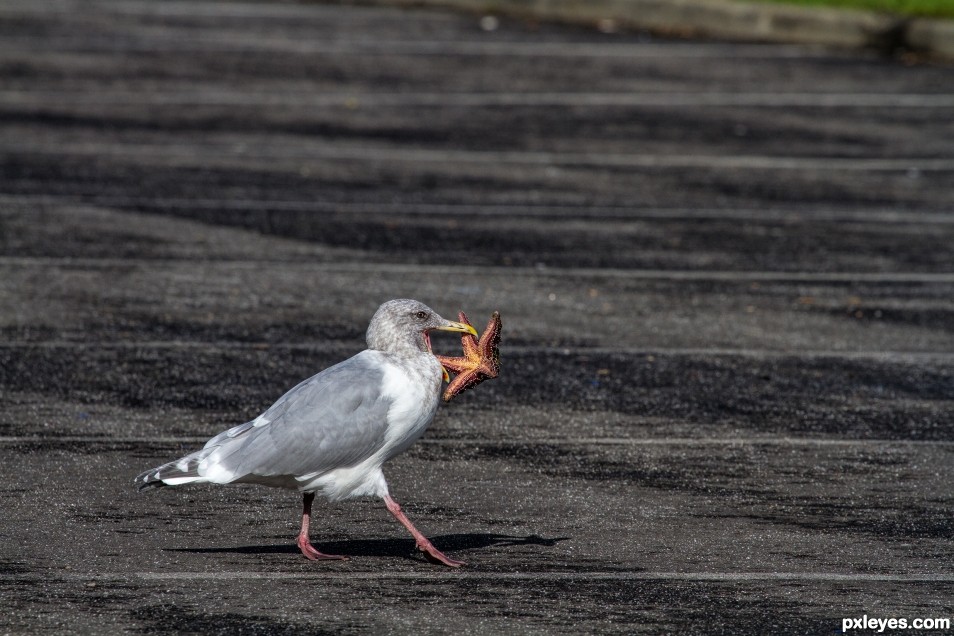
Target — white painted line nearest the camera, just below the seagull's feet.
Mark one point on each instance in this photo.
(450, 575)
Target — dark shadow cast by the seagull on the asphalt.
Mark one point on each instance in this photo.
(388, 547)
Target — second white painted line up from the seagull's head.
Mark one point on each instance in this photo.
(511, 211)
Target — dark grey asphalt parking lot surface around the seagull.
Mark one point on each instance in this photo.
(726, 274)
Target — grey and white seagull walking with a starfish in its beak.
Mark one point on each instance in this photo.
(332, 433)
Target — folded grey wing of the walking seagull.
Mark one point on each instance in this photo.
(334, 419)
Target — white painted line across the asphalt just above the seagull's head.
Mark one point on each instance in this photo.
(451, 271)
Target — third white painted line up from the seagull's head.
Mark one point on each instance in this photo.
(199, 152)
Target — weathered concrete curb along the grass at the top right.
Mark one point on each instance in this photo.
(731, 19)
